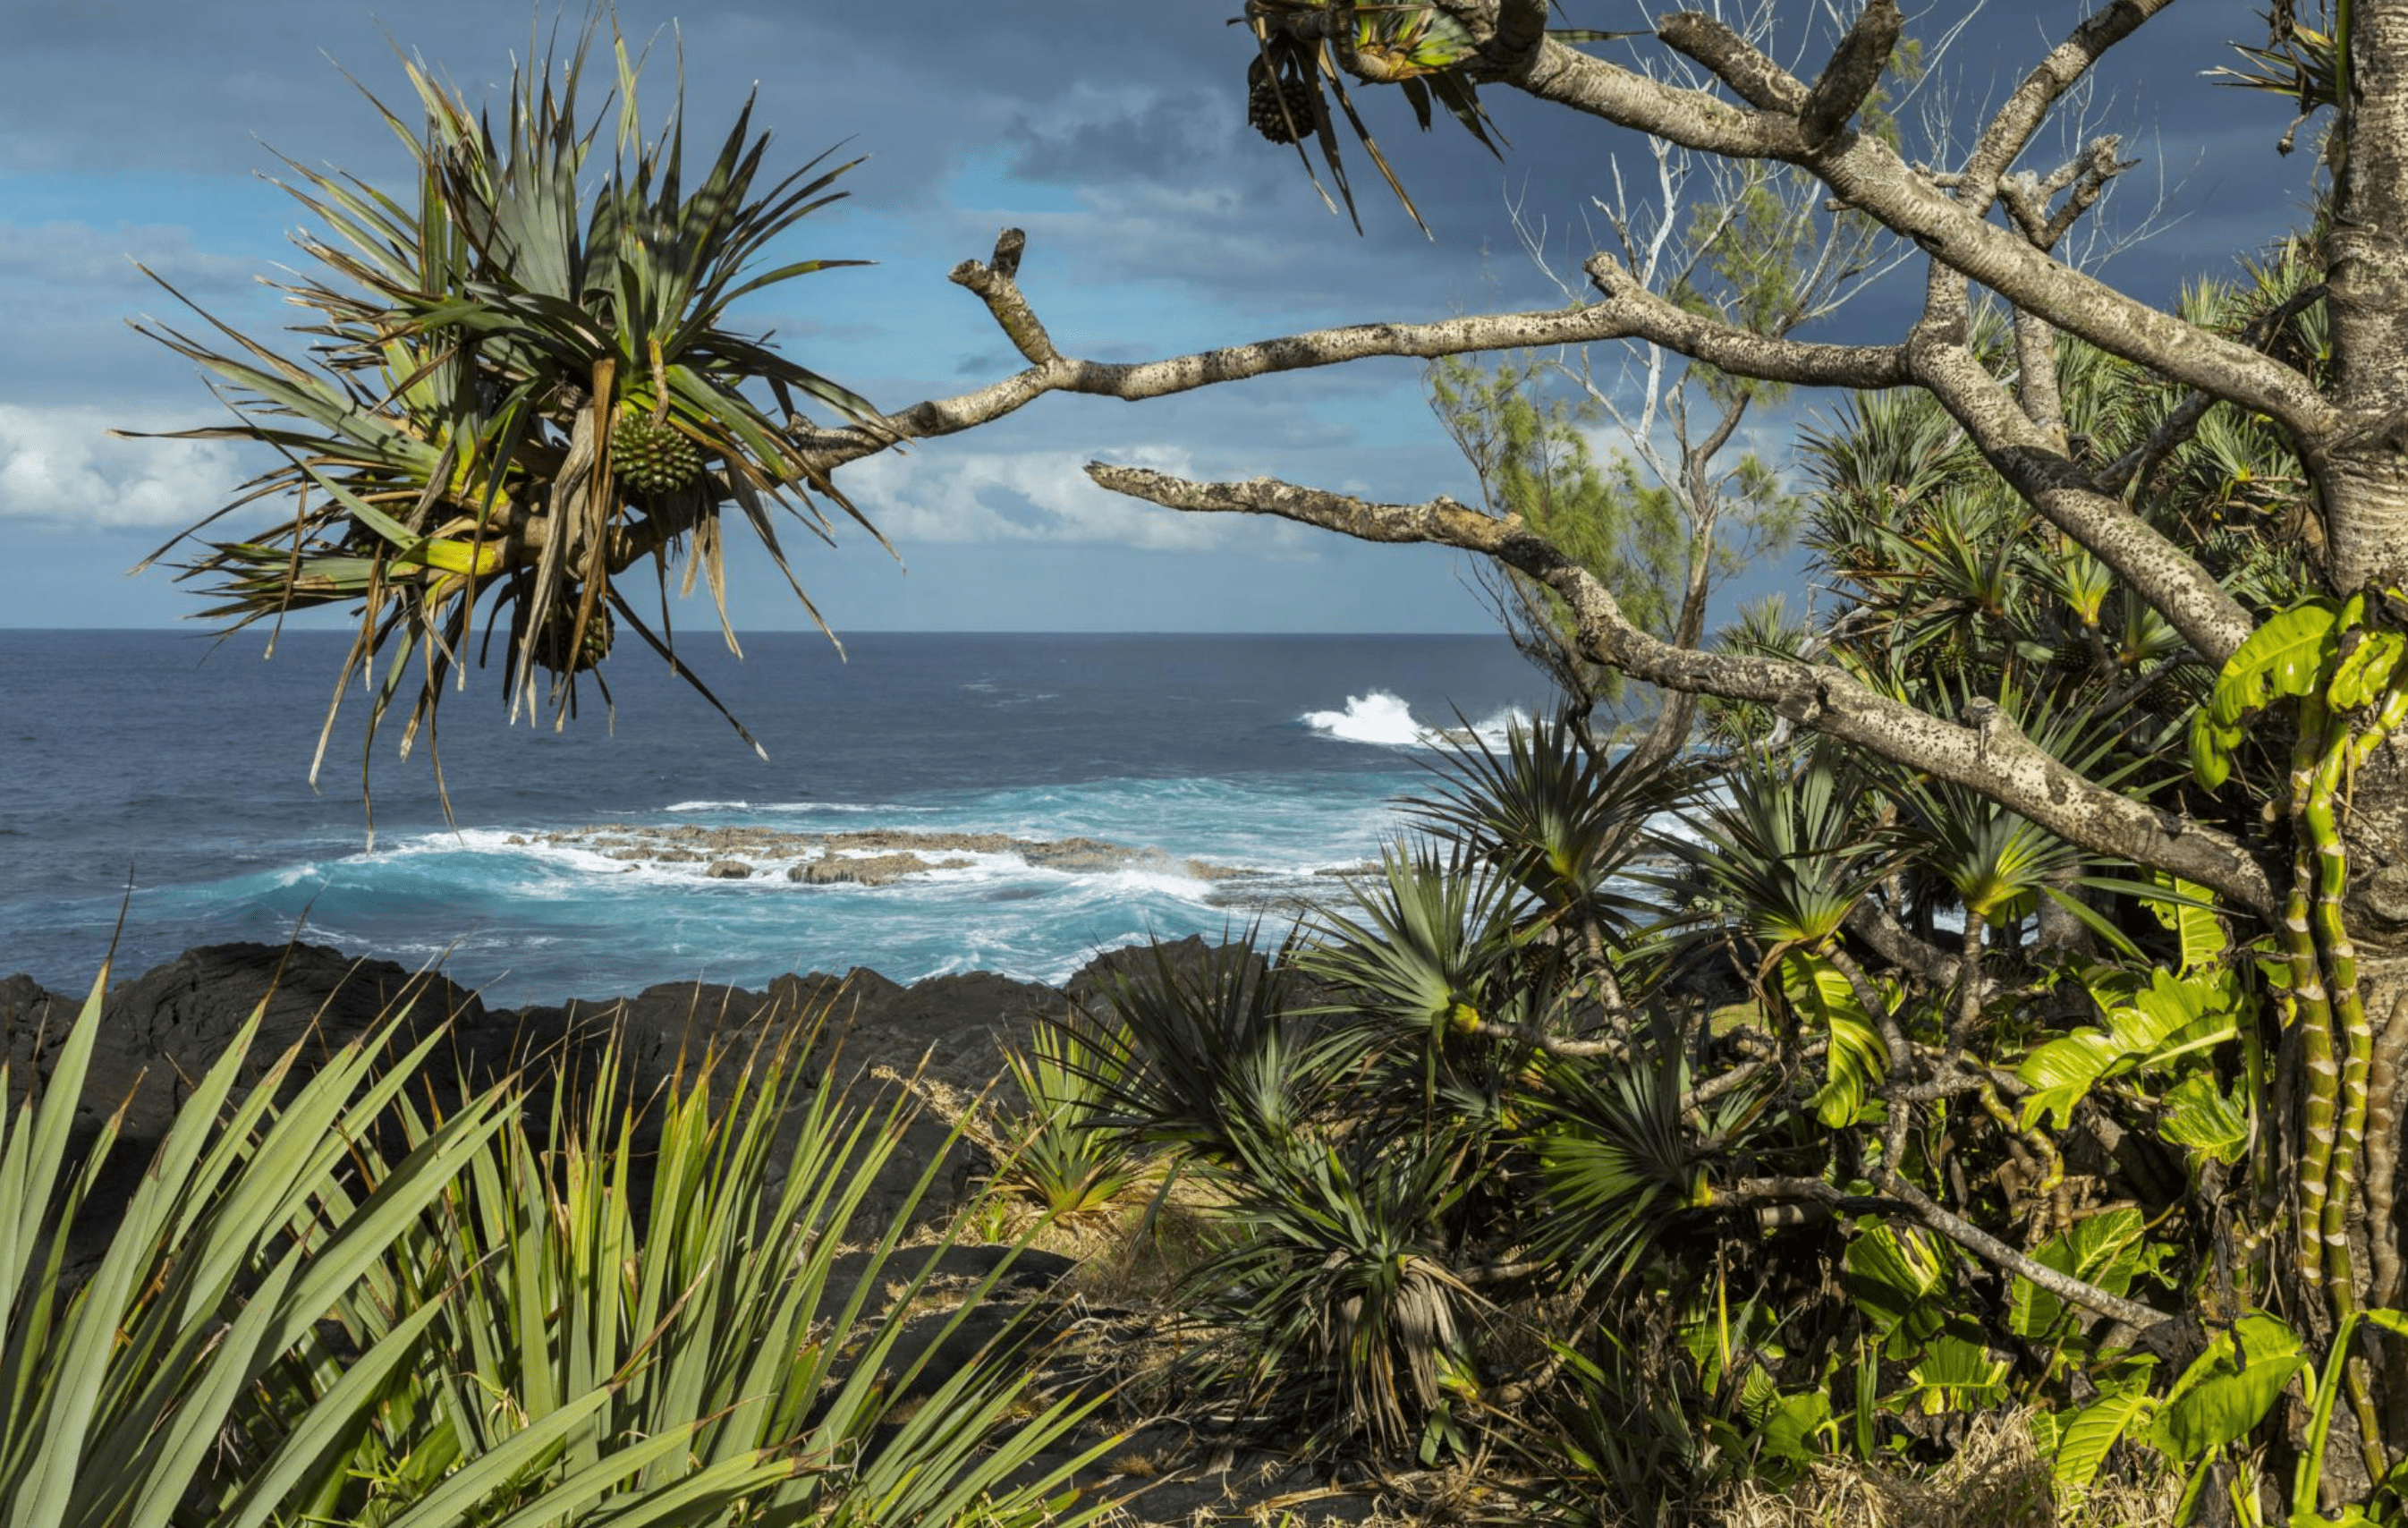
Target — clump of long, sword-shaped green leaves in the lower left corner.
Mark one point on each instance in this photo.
(514, 1317)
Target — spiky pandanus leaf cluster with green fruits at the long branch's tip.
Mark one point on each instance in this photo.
(524, 384)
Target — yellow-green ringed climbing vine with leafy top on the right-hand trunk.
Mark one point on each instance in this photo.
(2349, 693)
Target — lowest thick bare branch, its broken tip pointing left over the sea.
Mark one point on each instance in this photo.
(1997, 760)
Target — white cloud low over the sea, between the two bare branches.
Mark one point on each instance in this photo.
(940, 495)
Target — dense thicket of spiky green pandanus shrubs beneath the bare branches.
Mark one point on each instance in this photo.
(1663, 1139)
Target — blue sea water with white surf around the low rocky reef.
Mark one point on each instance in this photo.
(158, 763)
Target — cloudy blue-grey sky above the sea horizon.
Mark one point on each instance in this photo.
(1157, 223)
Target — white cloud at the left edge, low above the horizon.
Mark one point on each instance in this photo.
(61, 464)
